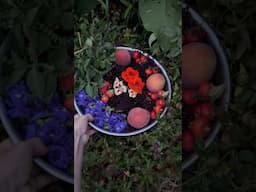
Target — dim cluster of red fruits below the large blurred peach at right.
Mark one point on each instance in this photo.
(198, 112)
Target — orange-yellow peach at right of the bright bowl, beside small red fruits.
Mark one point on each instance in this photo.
(155, 82)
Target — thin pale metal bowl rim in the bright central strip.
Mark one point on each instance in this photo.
(169, 86)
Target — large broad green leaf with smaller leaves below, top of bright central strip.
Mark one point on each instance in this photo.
(163, 19)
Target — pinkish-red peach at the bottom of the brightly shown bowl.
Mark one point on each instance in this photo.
(138, 117)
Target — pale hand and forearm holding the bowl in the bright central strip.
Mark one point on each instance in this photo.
(82, 135)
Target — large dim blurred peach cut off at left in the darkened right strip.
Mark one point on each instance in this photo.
(198, 64)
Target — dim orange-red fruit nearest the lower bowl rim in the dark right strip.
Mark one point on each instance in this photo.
(199, 127)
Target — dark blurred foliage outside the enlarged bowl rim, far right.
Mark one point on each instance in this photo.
(229, 164)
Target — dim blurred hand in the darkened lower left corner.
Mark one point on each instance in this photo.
(17, 173)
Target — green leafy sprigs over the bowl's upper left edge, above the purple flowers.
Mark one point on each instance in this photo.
(94, 52)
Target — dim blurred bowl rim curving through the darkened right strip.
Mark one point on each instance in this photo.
(221, 54)
